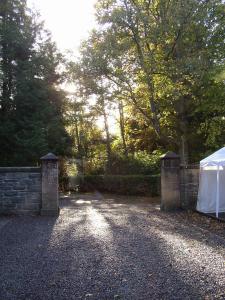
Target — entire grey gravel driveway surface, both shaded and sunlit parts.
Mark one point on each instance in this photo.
(105, 248)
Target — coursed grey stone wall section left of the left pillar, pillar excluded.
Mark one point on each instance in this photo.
(20, 190)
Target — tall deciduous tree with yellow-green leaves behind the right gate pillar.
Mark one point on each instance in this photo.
(173, 46)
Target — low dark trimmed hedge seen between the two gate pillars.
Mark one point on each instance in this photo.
(122, 184)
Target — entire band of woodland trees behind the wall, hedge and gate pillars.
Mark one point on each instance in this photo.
(157, 65)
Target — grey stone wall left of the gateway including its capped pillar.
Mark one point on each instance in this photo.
(30, 190)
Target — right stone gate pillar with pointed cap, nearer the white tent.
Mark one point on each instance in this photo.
(170, 182)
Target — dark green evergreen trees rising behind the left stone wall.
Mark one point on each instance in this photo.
(31, 105)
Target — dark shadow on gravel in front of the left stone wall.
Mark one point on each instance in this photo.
(23, 244)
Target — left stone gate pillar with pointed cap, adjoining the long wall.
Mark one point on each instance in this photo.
(50, 197)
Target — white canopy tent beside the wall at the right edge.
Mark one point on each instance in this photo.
(211, 193)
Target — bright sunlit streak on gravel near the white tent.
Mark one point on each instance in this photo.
(185, 250)
